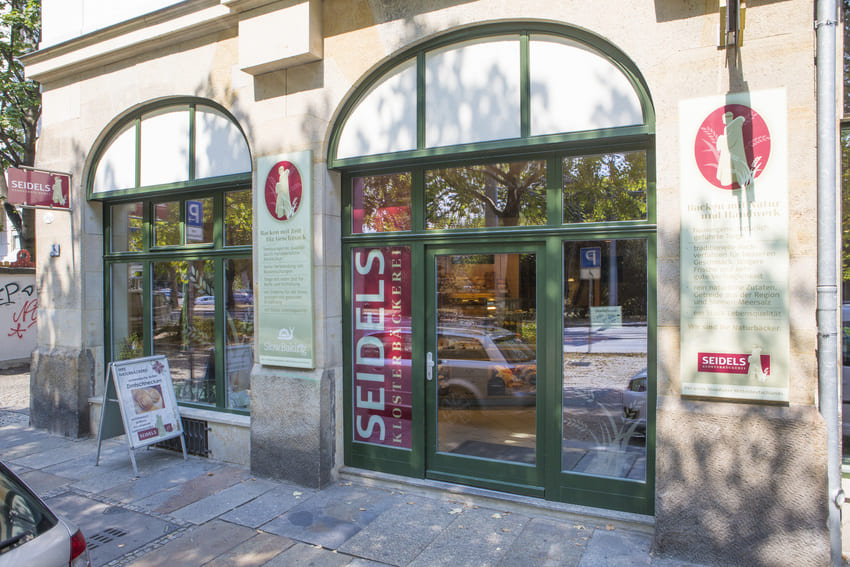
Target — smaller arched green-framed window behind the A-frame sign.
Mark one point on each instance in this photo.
(175, 180)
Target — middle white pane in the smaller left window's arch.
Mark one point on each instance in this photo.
(165, 146)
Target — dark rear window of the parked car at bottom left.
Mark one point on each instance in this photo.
(22, 516)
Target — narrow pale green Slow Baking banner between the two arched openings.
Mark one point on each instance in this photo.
(285, 258)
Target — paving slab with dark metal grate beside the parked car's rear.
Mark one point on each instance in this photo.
(110, 531)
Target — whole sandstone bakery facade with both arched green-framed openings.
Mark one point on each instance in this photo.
(526, 248)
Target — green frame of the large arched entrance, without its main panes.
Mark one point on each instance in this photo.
(401, 222)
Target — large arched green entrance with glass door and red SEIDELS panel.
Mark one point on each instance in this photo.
(498, 266)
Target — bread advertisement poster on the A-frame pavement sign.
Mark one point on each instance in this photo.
(146, 397)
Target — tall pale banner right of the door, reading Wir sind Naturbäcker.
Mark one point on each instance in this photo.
(735, 331)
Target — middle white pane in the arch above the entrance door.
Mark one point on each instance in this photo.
(472, 92)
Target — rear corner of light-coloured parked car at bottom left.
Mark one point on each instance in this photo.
(30, 534)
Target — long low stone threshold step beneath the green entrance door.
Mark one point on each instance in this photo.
(515, 503)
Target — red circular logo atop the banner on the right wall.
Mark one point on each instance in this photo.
(732, 146)
